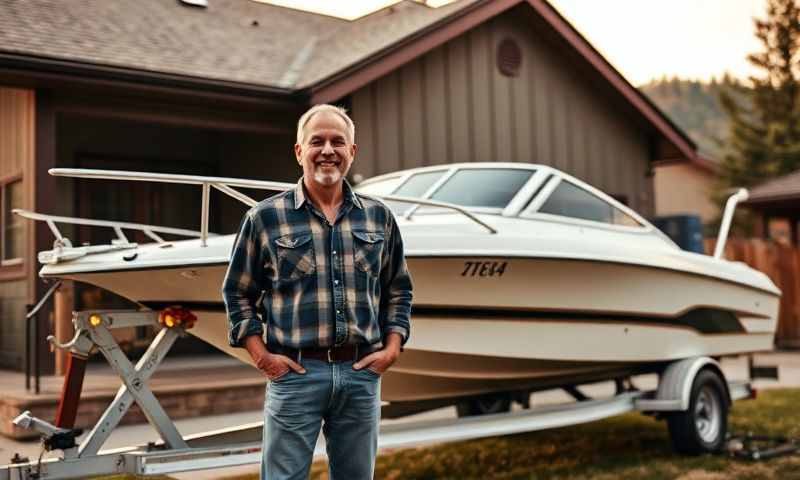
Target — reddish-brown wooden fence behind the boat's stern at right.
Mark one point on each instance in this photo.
(782, 264)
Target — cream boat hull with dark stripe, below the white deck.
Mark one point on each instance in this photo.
(512, 331)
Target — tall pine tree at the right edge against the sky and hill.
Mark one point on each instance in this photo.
(764, 135)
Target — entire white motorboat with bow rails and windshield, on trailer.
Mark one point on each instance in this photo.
(524, 278)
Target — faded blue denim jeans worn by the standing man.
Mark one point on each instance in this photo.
(347, 401)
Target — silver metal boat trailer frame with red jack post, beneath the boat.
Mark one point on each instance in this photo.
(241, 445)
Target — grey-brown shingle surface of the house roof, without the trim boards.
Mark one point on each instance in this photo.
(233, 40)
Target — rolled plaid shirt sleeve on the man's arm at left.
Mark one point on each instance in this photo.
(244, 283)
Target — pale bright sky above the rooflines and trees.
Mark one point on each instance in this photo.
(643, 39)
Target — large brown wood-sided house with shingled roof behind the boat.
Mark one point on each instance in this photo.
(170, 86)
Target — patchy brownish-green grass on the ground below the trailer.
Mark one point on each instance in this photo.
(630, 446)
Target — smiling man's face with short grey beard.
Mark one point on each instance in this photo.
(326, 153)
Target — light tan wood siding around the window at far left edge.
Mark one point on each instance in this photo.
(17, 115)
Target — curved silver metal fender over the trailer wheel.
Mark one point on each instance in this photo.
(675, 385)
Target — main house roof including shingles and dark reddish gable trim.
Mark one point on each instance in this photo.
(254, 45)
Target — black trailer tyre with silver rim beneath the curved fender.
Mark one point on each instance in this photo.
(703, 427)
